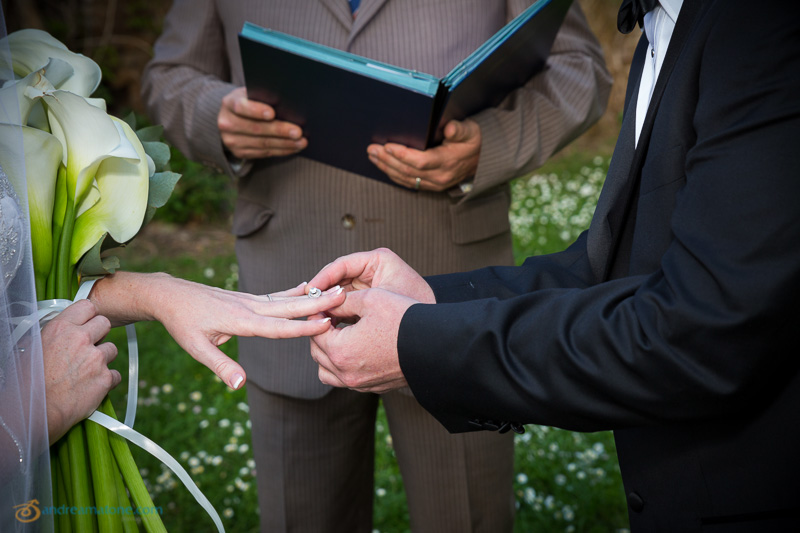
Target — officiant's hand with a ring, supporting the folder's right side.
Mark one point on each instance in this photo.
(437, 169)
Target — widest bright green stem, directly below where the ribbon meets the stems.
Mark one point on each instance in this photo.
(105, 486)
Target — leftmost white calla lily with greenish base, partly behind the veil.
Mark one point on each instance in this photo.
(39, 170)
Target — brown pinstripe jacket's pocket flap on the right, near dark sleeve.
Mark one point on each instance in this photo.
(480, 218)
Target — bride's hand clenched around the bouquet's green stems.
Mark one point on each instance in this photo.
(76, 373)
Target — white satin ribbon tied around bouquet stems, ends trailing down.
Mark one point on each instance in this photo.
(47, 310)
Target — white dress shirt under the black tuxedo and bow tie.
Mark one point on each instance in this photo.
(658, 26)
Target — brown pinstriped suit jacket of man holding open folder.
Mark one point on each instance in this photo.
(294, 215)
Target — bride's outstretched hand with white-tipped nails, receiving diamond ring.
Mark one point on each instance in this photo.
(201, 318)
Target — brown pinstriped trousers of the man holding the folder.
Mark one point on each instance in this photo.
(322, 480)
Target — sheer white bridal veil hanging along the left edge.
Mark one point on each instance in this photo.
(25, 487)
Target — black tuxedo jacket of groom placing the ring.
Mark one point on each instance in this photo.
(671, 319)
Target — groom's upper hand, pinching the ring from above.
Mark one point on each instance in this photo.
(381, 269)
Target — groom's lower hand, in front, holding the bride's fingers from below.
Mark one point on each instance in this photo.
(363, 356)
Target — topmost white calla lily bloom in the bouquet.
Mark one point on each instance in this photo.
(32, 49)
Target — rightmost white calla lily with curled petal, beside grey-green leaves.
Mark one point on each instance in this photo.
(123, 186)
